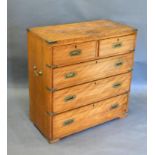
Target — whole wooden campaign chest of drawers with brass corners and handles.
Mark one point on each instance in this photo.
(79, 75)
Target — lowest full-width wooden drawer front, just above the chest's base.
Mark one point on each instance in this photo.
(79, 119)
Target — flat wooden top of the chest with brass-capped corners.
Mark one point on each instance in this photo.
(83, 31)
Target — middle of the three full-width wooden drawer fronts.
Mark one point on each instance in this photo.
(88, 93)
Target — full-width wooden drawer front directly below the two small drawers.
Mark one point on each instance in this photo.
(93, 70)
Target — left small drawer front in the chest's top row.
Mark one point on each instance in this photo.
(74, 53)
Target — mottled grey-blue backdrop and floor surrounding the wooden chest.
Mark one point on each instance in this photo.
(125, 136)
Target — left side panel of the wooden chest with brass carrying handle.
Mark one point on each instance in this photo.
(40, 99)
